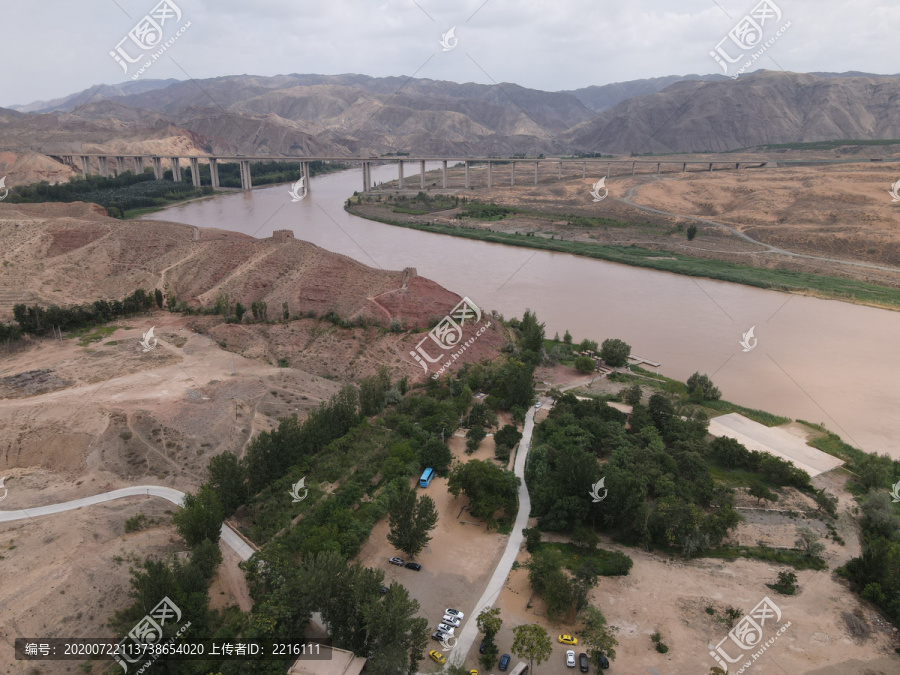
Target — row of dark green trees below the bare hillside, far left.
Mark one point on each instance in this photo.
(37, 320)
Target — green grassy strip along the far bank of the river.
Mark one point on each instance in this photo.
(803, 283)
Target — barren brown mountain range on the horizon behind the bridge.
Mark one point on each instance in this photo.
(356, 114)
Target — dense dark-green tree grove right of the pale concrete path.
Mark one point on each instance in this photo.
(660, 491)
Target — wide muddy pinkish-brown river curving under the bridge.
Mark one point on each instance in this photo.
(820, 360)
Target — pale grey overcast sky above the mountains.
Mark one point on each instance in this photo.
(52, 48)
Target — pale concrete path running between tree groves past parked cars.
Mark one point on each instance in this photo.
(469, 633)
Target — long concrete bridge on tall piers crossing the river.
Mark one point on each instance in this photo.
(598, 166)
